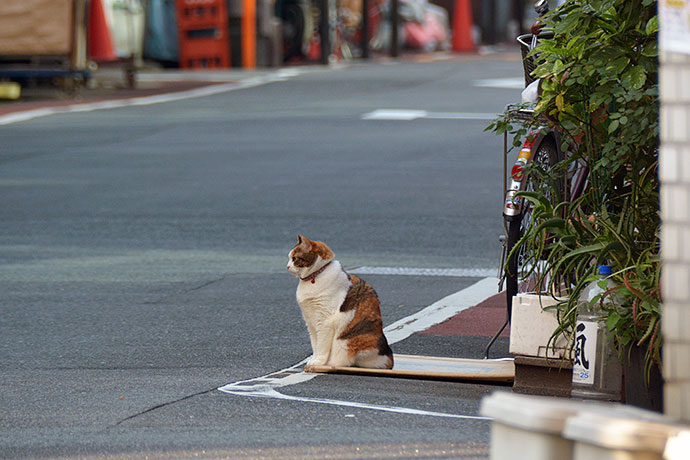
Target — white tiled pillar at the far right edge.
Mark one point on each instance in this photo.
(674, 171)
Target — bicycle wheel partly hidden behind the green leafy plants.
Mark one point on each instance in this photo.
(546, 157)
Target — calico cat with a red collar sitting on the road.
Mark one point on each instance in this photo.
(341, 310)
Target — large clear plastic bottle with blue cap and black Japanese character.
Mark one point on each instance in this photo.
(597, 372)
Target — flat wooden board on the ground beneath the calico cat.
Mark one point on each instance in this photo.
(436, 368)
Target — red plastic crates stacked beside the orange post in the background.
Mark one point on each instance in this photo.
(203, 34)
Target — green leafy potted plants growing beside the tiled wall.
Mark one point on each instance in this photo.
(599, 83)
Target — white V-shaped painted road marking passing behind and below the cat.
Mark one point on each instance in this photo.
(266, 386)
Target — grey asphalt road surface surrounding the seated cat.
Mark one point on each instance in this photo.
(143, 252)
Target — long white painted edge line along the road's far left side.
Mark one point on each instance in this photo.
(148, 100)
